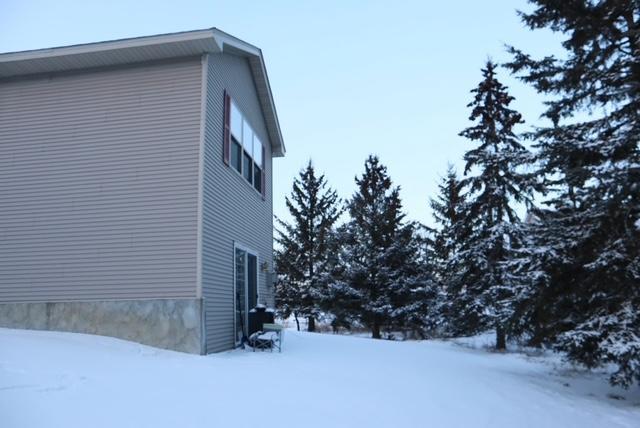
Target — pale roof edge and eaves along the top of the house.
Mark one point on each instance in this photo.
(140, 49)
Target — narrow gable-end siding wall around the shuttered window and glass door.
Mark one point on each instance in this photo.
(232, 210)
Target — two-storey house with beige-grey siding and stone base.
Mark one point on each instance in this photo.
(135, 188)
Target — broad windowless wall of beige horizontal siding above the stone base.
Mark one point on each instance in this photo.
(99, 183)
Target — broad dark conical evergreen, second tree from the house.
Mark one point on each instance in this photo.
(382, 272)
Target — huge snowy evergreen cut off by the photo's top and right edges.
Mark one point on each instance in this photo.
(590, 158)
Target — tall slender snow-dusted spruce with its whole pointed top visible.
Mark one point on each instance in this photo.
(494, 177)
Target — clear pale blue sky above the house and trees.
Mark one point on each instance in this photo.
(350, 78)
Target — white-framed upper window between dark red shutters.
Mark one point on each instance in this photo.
(246, 149)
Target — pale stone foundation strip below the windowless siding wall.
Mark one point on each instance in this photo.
(165, 323)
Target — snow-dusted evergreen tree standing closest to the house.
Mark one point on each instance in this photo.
(303, 253)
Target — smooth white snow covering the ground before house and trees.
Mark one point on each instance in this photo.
(50, 379)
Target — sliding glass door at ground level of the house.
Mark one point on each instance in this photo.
(246, 289)
